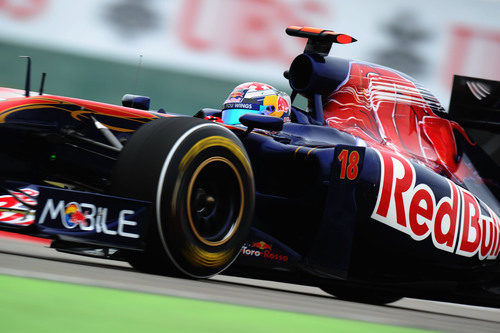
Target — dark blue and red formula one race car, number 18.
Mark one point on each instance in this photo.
(372, 193)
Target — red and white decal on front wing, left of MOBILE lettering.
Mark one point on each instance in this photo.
(7, 202)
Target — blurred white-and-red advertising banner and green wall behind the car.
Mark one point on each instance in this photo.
(193, 52)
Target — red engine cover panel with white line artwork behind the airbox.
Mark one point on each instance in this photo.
(387, 109)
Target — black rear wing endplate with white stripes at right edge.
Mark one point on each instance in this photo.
(475, 103)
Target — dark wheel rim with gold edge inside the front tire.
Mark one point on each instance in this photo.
(215, 201)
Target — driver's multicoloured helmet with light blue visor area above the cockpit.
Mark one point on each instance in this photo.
(257, 98)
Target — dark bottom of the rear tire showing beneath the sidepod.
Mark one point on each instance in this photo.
(361, 294)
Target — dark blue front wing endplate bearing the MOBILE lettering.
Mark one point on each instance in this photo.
(91, 218)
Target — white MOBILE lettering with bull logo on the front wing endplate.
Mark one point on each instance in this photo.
(88, 217)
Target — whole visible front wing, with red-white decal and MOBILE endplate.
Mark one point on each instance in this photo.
(74, 216)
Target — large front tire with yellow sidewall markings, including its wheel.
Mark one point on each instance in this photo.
(200, 182)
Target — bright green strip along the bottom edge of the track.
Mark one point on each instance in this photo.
(29, 305)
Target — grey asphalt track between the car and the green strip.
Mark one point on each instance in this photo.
(25, 259)
